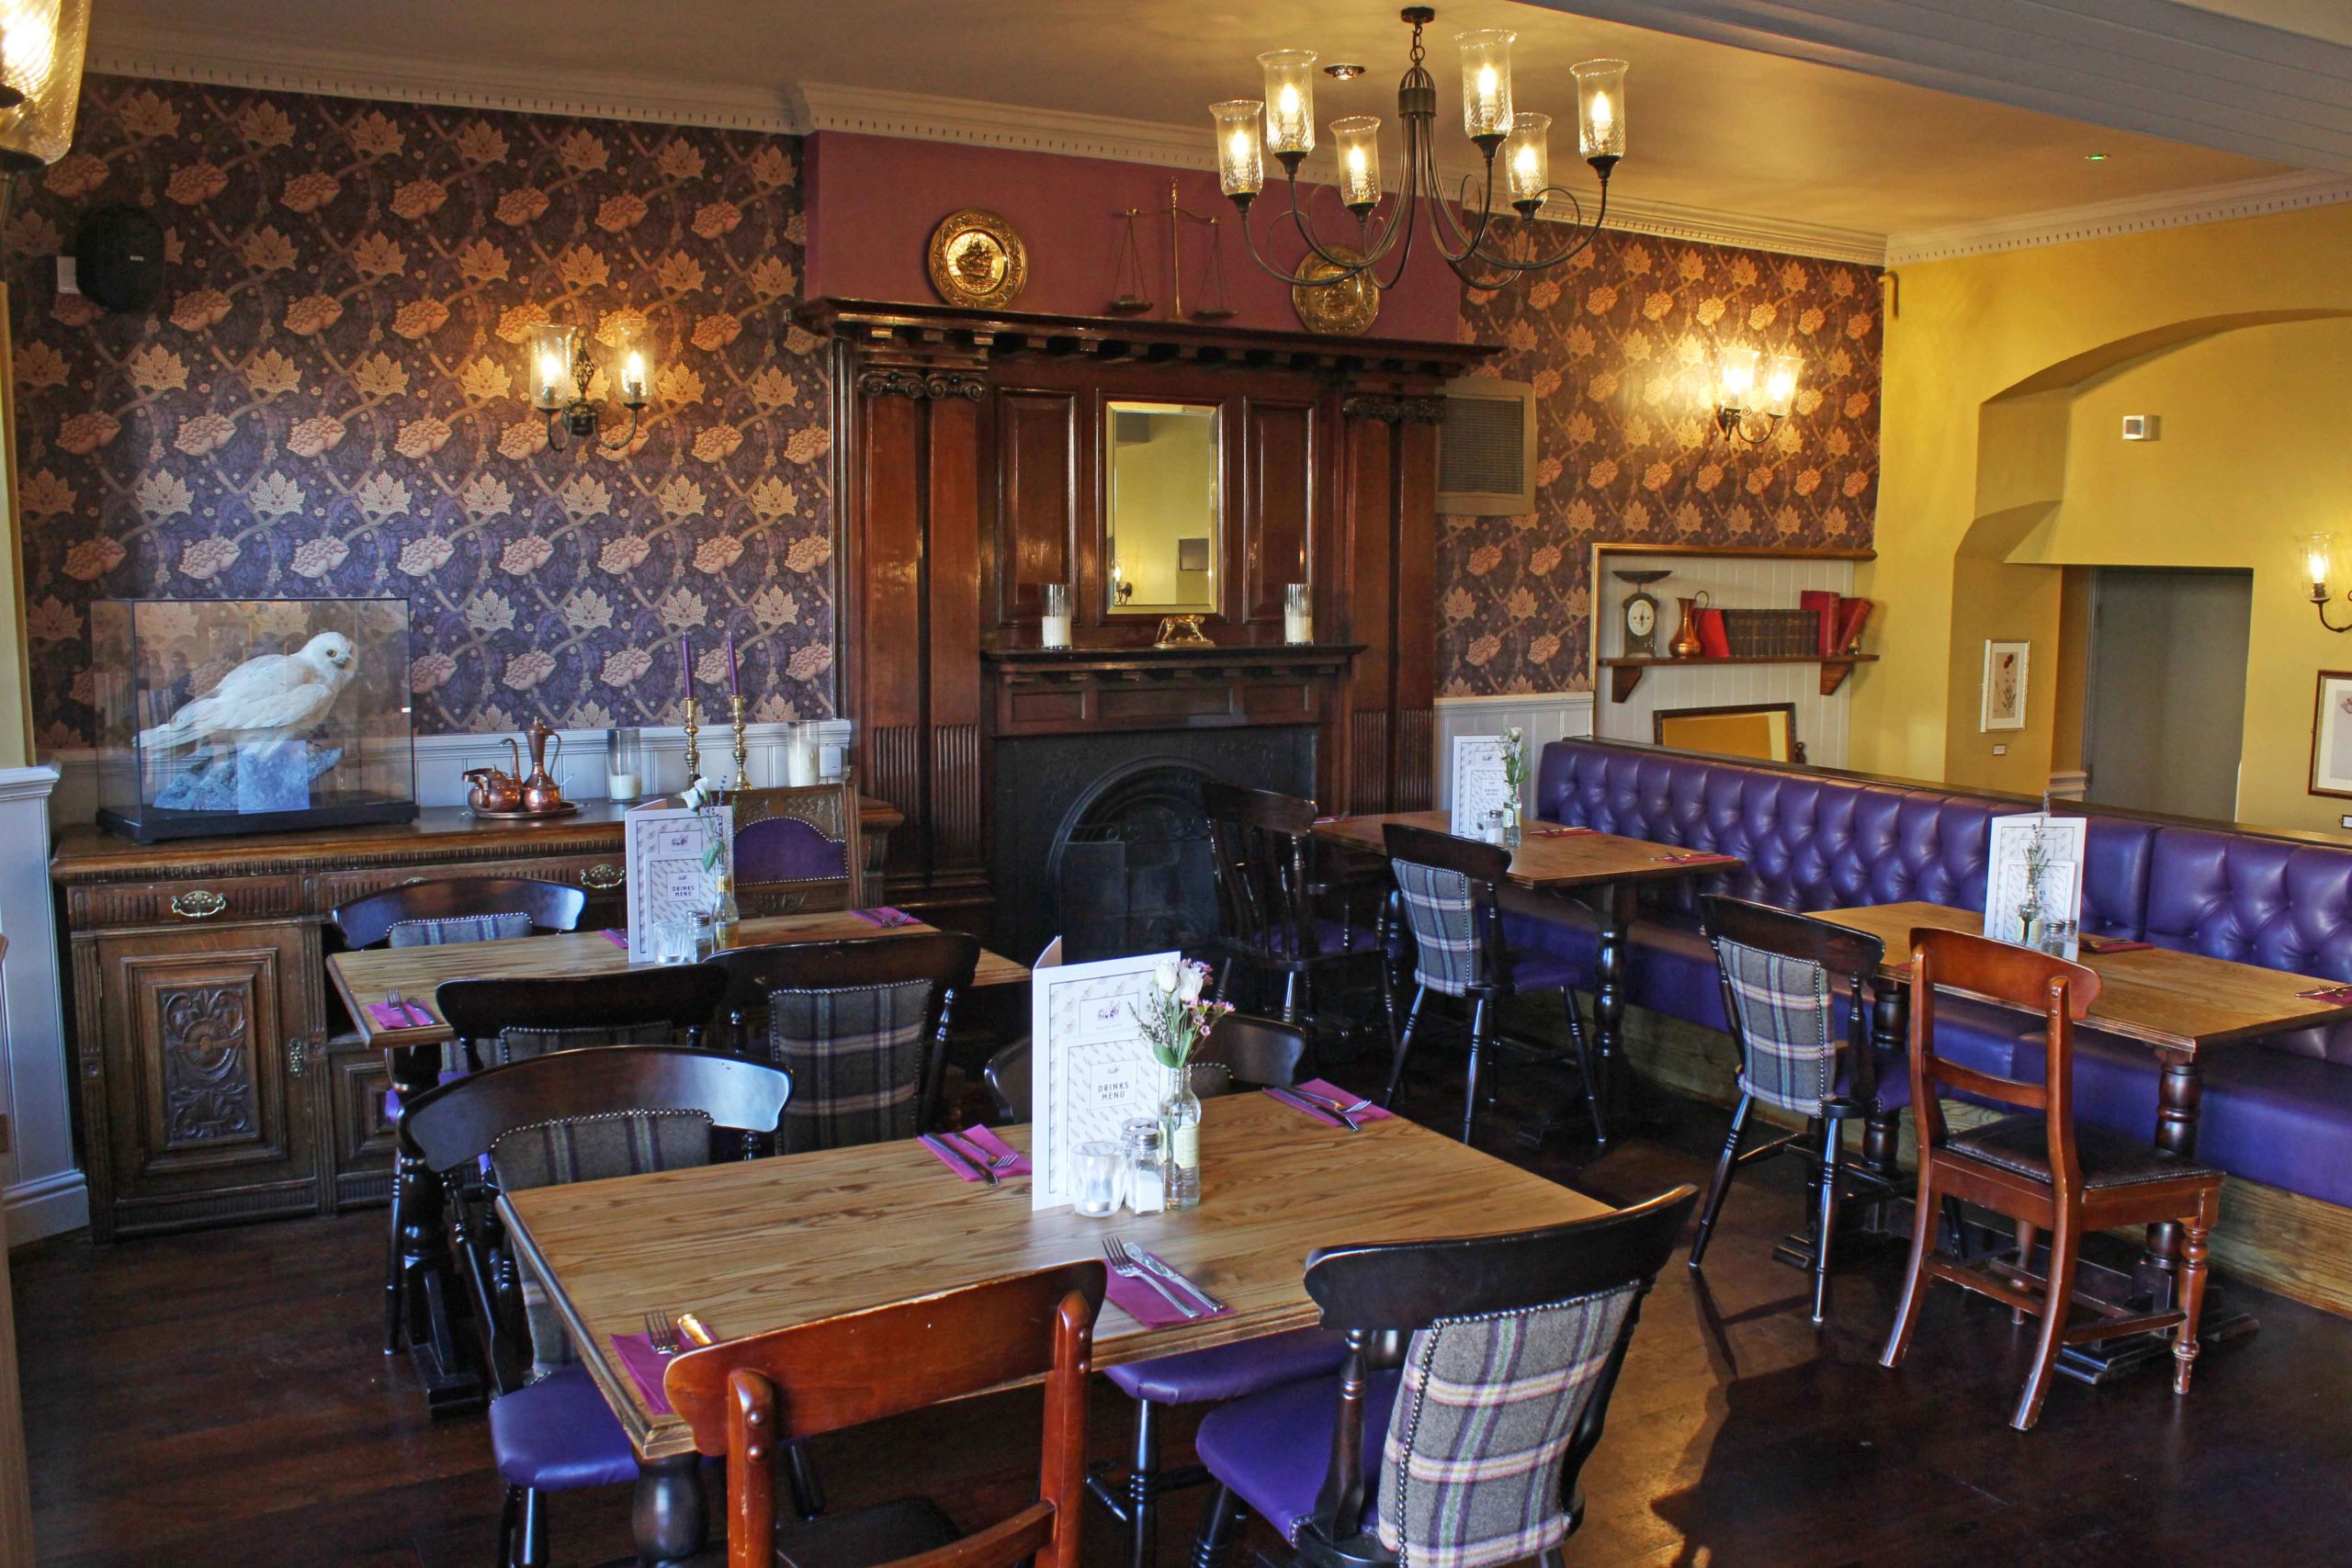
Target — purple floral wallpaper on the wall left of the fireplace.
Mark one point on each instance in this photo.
(328, 398)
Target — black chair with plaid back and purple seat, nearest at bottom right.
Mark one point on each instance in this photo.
(1476, 1381)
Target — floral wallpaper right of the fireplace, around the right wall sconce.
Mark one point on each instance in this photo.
(1619, 349)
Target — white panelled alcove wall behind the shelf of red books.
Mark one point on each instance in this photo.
(1730, 582)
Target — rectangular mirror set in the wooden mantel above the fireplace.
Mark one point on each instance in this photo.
(1161, 528)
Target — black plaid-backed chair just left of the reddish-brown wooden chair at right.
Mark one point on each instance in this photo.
(1784, 981)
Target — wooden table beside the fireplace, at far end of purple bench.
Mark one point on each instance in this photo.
(1598, 871)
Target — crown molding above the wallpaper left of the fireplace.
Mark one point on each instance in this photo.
(274, 65)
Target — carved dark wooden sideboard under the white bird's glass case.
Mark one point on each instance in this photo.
(218, 1078)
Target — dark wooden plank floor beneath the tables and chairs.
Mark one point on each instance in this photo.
(222, 1400)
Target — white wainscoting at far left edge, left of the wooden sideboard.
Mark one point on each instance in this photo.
(39, 1181)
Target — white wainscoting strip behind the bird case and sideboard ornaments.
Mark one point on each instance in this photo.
(580, 763)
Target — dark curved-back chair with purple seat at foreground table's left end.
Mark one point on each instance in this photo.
(547, 1120)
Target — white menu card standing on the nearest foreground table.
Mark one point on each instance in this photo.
(1090, 1066)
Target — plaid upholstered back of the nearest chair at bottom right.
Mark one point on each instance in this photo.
(1485, 1416)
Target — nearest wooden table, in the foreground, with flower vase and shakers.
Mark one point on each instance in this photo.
(796, 1240)
